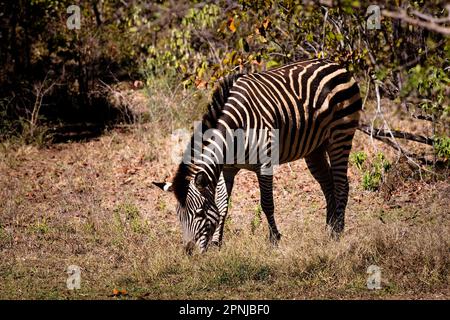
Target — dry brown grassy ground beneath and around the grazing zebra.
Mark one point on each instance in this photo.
(92, 204)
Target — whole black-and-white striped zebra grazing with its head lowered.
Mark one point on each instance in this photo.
(314, 108)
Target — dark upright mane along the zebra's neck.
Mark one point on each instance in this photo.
(210, 119)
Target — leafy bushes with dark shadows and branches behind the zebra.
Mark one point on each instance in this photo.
(67, 73)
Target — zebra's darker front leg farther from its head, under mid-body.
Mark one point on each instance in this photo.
(266, 192)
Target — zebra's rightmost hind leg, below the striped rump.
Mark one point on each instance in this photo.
(339, 152)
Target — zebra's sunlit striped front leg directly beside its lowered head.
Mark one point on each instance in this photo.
(223, 193)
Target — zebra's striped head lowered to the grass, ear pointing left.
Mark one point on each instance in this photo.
(196, 210)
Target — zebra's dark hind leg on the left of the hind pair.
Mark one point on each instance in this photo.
(320, 169)
